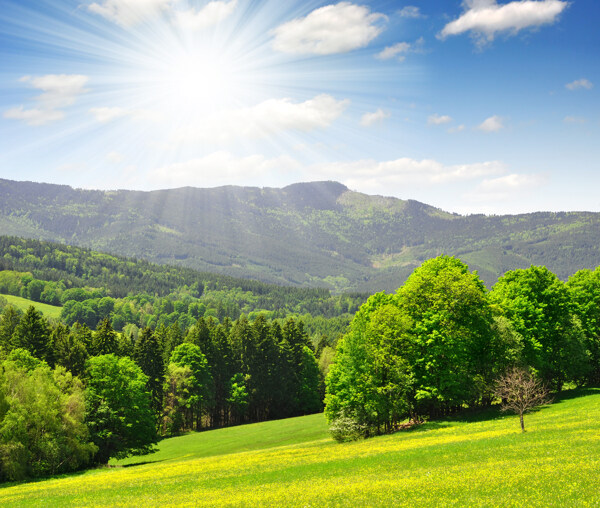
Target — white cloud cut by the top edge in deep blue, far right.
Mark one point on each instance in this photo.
(486, 18)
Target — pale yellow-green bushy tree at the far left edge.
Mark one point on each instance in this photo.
(42, 431)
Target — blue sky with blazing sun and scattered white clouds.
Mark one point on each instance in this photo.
(474, 106)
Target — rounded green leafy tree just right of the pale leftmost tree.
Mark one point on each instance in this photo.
(118, 408)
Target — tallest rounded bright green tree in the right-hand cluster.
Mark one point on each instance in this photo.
(450, 348)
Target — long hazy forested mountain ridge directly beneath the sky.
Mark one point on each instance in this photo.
(310, 234)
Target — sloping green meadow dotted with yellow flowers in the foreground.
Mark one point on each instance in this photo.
(481, 460)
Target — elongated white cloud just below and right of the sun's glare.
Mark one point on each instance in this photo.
(266, 118)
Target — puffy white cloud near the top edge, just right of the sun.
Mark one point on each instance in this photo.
(328, 30)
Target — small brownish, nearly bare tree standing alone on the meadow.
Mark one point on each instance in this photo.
(521, 392)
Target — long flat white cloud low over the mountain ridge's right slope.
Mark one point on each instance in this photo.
(379, 176)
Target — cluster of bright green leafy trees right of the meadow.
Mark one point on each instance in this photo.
(442, 341)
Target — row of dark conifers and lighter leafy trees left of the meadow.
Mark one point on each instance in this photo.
(102, 394)
